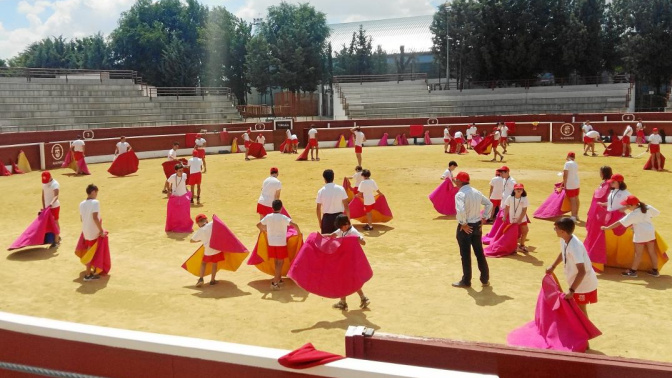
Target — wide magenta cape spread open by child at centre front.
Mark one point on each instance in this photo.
(330, 267)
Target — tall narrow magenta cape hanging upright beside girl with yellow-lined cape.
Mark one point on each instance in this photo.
(597, 217)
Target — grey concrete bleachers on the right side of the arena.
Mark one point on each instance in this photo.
(407, 99)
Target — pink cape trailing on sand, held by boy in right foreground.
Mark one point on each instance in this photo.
(558, 324)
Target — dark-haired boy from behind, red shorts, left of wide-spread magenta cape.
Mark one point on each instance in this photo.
(275, 226)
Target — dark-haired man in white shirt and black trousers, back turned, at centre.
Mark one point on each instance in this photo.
(331, 200)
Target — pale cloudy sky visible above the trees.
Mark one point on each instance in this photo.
(23, 22)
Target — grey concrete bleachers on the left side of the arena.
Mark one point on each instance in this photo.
(87, 103)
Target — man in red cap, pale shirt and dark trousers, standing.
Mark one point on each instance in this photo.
(468, 203)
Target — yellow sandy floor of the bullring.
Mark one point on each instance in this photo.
(414, 257)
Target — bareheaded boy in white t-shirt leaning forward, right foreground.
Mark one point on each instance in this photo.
(581, 278)
